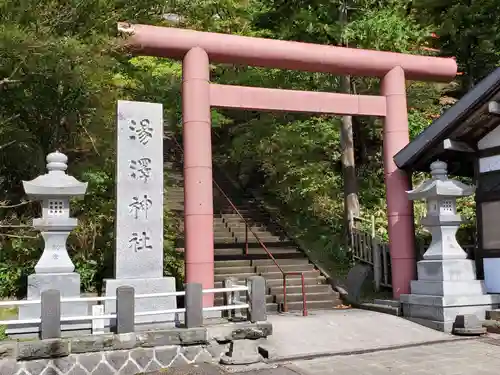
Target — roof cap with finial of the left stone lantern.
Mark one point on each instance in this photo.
(55, 183)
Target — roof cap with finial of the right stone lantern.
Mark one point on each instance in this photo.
(440, 186)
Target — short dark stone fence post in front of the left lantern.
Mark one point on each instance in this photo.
(50, 327)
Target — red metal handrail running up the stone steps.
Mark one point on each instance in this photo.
(248, 228)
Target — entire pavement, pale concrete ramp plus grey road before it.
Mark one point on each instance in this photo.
(360, 342)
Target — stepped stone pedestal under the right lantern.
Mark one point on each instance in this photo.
(445, 289)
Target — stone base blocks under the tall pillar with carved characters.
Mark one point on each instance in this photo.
(146, 286)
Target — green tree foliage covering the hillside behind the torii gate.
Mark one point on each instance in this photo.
(62, 69)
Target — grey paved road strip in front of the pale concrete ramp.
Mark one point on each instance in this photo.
(470, 357)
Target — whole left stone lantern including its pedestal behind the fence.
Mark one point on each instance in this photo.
(54, 270)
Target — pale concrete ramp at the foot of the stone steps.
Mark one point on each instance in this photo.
(342, 331)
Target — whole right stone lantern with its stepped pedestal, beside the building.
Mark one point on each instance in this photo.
(447, 284)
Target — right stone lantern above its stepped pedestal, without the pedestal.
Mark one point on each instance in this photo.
(442, 219)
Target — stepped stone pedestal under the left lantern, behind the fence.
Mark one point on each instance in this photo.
(68, 285)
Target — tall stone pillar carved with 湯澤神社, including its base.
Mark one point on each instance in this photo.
(139, 210)
